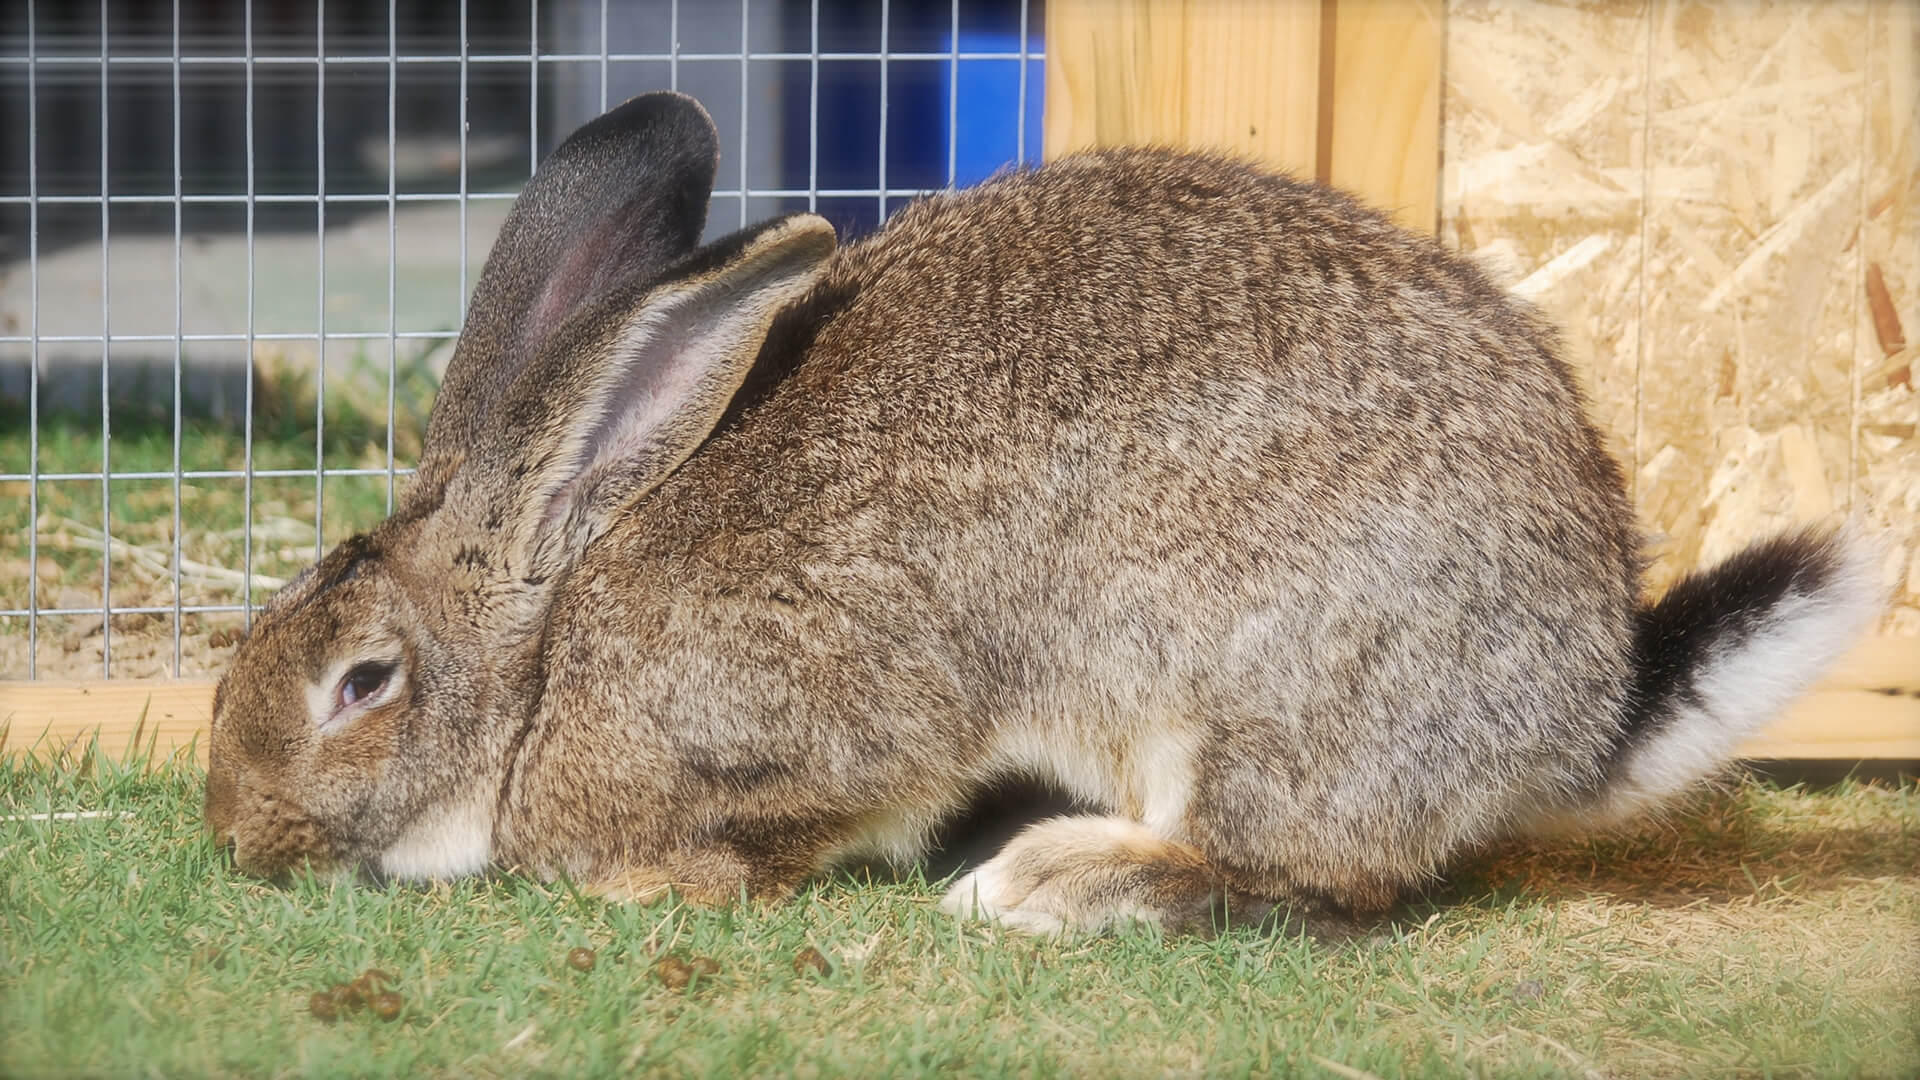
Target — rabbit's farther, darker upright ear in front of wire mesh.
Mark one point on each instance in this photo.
(617, 203)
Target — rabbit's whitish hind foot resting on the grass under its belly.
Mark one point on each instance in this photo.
(1088, 875)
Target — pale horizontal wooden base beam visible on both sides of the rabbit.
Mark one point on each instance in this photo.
(1867, 712)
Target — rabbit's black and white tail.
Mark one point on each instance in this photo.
(1725, 652)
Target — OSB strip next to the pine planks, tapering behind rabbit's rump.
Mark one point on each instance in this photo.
(1545, 122)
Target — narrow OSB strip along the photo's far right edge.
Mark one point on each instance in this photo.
(1886, 337)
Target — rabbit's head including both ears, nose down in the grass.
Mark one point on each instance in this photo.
(370, 718)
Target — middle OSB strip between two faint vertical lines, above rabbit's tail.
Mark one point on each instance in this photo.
(1754, 209)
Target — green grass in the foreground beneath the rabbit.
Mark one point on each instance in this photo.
(1764, 933)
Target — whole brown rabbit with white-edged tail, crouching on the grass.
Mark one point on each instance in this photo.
(1276, 535)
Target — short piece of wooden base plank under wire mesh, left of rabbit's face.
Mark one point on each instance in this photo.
(51, 720)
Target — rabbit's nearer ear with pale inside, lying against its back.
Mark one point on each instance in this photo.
(627, 393)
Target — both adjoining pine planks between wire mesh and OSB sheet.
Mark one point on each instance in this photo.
(1347, 91)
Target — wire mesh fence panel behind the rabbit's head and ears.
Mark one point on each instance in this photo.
(237, 241)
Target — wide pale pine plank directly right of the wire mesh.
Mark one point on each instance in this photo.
(1232, 76)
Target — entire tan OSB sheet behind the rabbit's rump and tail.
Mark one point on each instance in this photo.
(1717, 203)
